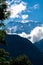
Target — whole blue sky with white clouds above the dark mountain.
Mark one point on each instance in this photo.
(26, 19)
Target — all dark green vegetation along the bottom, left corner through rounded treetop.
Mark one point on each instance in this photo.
(5, 59)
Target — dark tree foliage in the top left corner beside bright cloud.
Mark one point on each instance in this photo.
(3, 10)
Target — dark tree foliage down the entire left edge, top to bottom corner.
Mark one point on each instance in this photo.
(4, 14)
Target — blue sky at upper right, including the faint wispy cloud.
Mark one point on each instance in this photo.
(35, 14)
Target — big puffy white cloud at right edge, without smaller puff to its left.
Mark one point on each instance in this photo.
(36, 34)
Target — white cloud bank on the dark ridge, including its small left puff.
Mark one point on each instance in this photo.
(35, 35)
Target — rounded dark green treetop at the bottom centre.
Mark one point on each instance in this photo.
(21, 60)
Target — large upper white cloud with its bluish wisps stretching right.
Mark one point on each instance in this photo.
(19, 6)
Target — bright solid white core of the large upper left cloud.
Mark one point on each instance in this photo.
(17, 9)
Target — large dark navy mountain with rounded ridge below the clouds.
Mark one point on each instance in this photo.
(17, 45)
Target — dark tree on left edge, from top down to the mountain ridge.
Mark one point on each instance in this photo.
(3, 15)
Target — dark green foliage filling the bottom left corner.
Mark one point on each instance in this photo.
(3, 57)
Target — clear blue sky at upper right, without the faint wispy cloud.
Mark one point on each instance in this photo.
(36, 14)
